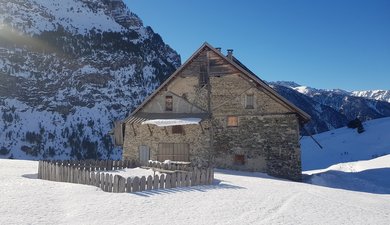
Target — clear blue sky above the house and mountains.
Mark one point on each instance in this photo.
(323, 44)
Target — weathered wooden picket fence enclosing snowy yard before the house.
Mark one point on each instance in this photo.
(90, 174)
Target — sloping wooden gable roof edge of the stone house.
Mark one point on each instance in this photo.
(238, 65)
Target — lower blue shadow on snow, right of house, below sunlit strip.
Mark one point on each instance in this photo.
(373, 181)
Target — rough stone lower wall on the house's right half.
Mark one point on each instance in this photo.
(268, 143)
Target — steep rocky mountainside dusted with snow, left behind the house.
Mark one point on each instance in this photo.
(68, 69)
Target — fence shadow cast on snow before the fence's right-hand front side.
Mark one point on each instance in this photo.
(217, 185)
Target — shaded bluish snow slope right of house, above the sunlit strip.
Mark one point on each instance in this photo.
(346, 145)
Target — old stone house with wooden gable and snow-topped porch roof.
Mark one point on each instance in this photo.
(215, 111)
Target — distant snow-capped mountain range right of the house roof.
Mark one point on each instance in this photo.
(332, 109)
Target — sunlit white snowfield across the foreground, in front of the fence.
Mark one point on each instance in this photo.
(236, 198)
